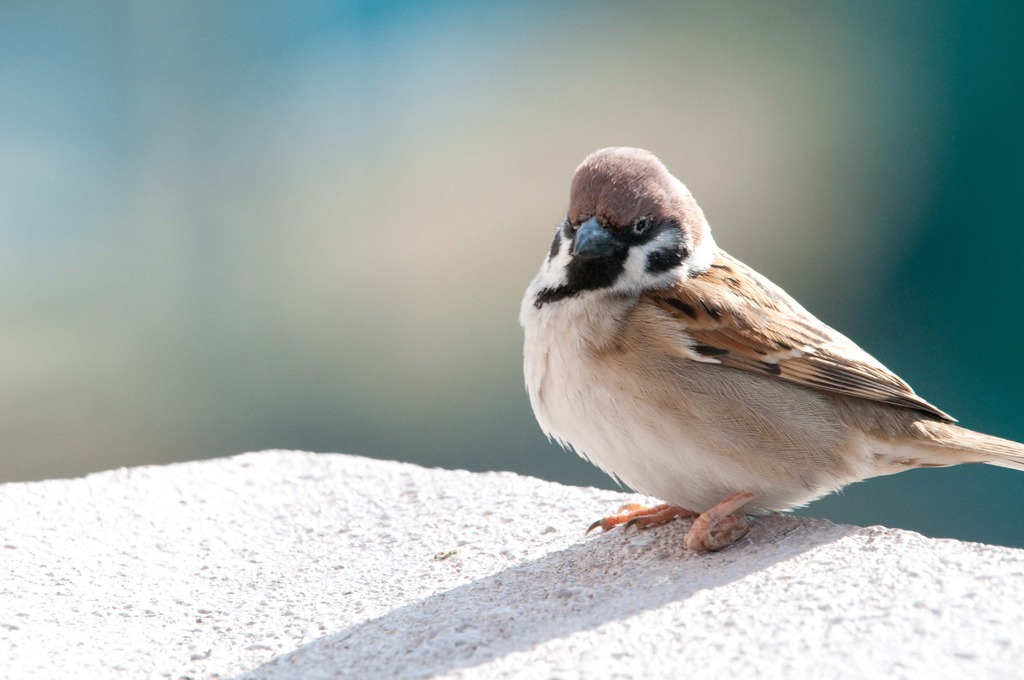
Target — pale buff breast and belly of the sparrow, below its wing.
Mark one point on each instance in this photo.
(689, 433)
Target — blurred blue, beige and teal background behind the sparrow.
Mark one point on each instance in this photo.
(241, 226)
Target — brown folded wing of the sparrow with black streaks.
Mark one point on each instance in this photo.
(737, 318)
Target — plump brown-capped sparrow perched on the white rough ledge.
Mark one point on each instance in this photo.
(689, 377)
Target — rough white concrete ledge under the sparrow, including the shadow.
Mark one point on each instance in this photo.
(286, 565)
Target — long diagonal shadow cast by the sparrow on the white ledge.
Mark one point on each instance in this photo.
(590, 584)
